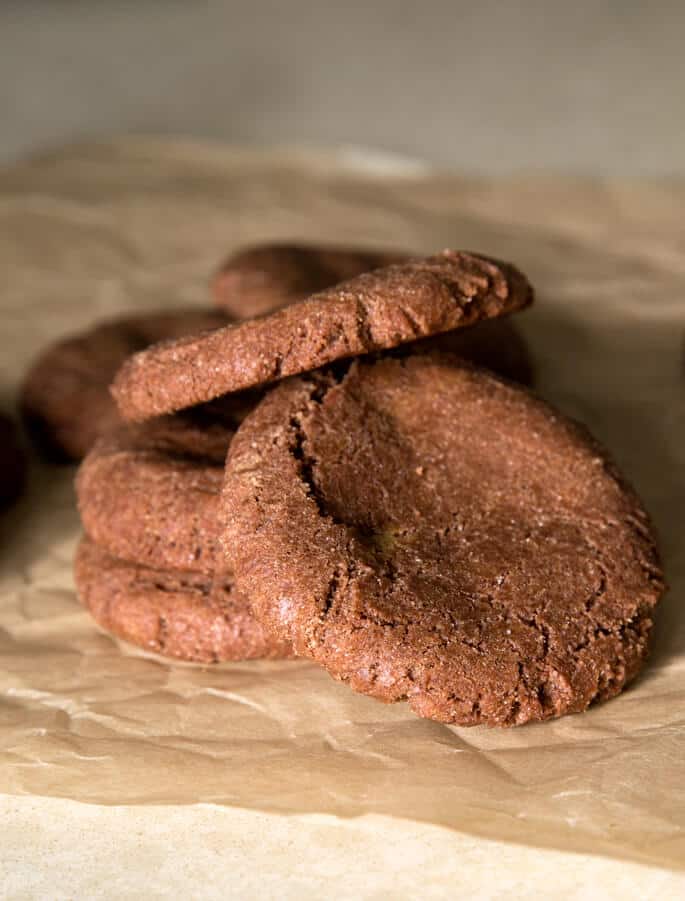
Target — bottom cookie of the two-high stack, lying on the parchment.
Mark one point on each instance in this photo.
(177, 614)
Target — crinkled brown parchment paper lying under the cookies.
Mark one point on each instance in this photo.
(138, 224)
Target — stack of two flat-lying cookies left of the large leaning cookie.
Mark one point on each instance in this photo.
(150, 567)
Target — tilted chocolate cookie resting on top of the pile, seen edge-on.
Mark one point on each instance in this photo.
(372, 312)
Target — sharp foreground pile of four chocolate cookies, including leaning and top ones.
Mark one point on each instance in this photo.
(419, 527)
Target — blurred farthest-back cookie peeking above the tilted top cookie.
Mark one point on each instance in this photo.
(259, 279)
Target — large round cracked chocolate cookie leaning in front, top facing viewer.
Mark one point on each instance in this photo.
(427, 532)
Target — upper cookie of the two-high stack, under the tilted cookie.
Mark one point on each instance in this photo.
(149, 493)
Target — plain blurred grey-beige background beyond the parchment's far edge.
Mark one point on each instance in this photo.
(483, 86)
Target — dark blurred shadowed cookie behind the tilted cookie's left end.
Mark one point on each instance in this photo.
(65, 400)
